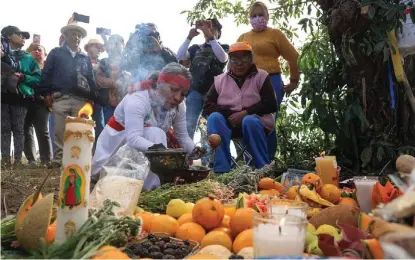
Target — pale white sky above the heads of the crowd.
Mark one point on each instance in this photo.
(120, 16)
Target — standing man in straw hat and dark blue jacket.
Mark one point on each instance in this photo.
(67, 82)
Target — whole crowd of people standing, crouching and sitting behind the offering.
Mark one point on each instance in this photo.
(143, 94)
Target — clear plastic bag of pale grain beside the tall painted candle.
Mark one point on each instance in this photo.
(122, 180)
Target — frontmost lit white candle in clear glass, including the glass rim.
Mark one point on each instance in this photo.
(279, 235)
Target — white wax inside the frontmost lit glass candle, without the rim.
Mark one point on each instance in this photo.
(278, 240)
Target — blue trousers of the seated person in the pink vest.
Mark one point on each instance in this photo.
(253, 135)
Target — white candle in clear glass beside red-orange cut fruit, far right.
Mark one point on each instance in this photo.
(364, 189)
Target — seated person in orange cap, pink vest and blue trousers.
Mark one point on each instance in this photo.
(241, 104)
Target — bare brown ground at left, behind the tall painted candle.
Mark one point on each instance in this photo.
(17, 185)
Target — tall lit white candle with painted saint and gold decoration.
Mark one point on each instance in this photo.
(72, 210)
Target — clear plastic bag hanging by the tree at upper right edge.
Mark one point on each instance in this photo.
(406, 38)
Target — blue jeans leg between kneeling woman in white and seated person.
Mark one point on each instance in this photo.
(194, 107)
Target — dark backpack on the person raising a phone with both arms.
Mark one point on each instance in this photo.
(204, 68)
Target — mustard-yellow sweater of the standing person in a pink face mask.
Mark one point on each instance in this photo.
(268, 46)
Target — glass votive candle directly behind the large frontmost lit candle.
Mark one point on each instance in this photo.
(277, 206)
